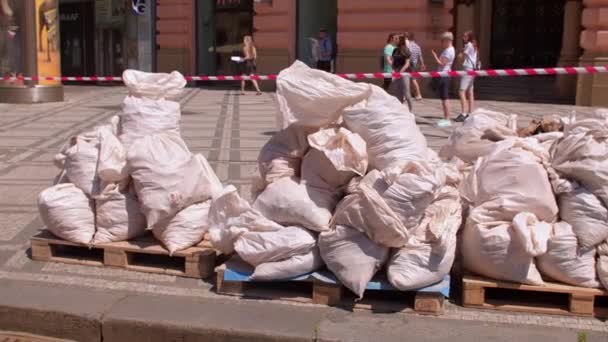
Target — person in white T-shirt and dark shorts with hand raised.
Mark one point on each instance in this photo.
(442, 84)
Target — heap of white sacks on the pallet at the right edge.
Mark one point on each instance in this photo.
(538, 205)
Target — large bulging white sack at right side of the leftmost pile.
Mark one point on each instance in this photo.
(167, 177)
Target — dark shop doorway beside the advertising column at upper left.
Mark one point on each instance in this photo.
(77, 34)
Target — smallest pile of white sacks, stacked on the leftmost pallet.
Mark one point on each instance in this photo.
(132, 175)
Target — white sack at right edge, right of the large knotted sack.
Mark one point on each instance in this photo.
(586, 214)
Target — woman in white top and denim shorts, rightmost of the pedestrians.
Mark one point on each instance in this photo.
(466, 91)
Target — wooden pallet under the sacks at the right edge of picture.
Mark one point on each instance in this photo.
(551, 298)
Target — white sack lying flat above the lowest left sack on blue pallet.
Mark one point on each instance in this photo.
(257, 248)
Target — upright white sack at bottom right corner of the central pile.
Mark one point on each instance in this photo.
(429, 255)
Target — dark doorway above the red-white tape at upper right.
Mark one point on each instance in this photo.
(526, 33)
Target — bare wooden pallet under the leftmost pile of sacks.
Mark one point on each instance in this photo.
(143, 254)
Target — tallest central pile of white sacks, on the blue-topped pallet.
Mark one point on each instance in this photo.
(348, 182)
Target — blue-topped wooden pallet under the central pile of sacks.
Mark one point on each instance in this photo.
(233, 278)
